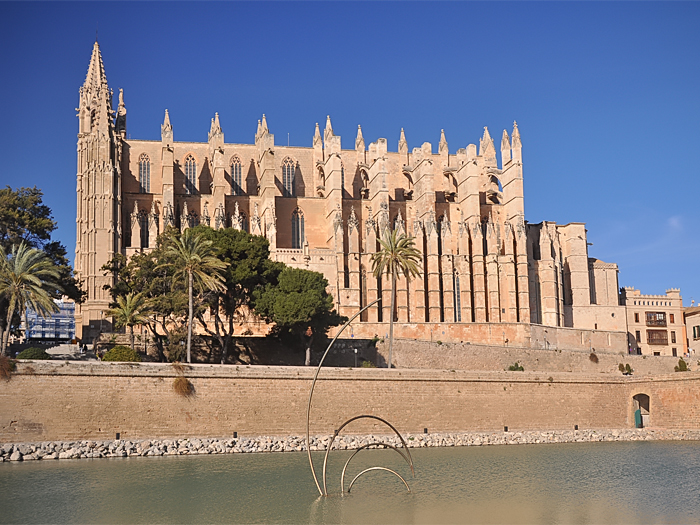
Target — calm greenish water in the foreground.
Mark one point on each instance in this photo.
(565, 483)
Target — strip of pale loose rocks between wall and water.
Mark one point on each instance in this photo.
(188, 446)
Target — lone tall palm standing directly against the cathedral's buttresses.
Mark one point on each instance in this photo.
(397, 255)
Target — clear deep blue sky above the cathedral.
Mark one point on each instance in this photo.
(606, 95)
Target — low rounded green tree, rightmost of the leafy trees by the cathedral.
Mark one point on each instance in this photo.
(299, 305)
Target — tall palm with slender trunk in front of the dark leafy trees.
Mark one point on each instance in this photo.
(193, 257)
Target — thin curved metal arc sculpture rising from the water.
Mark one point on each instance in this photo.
(407, 456)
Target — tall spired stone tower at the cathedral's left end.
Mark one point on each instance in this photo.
(98, 190)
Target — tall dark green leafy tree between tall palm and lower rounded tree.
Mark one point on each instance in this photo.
(248, 268)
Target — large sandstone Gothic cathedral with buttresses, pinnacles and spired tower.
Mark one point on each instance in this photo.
(488, 276)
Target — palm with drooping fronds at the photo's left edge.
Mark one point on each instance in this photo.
(25, 276)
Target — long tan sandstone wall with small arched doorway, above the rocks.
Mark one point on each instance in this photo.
(51, 401)
